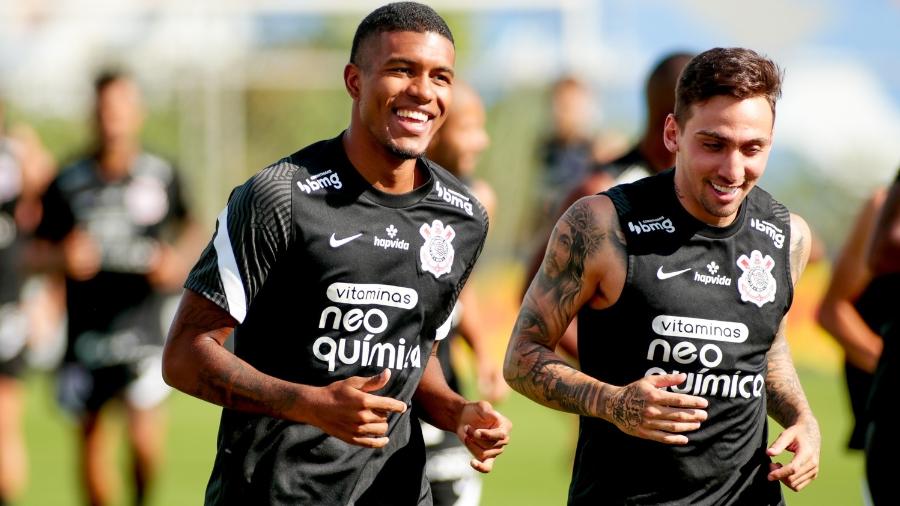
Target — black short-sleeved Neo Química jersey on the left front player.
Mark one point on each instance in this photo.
(330, 278)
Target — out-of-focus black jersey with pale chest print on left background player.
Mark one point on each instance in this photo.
(113, 318)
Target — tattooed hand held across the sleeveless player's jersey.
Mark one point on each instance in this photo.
(643, 409)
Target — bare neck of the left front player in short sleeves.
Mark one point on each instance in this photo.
(381, 169)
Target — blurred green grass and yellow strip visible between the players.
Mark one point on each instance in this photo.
(534, 470)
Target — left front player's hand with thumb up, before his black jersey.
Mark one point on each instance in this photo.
(348, 410)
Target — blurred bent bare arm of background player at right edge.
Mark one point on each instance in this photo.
(851, 274)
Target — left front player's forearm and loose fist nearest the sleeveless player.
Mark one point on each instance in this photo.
(483, 430)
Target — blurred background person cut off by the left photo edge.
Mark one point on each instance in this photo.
(25, 171)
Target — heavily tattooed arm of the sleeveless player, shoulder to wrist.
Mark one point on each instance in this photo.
(533, 367)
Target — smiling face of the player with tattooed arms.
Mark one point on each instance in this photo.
(720, 153)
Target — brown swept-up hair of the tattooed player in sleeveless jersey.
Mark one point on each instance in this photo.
(737, 72)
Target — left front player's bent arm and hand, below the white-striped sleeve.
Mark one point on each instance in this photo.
(196, 362)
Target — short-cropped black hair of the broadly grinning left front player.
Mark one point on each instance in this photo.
(398, 17)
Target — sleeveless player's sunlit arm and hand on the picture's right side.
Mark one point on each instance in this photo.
(786, 402)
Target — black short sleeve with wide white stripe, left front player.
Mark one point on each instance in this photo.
(253, 233)
